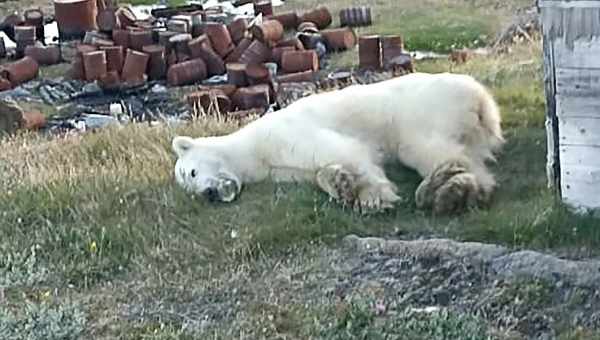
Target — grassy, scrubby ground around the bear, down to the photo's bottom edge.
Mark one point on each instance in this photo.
(98, 242)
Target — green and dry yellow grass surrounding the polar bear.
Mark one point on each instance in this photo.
(88, 212)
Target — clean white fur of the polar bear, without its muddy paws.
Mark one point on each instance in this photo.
(421, 120)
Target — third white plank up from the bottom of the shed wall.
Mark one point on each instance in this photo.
(579, 131)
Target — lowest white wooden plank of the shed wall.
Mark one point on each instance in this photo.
(580, 187)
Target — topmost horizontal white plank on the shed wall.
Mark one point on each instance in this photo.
(583, 54)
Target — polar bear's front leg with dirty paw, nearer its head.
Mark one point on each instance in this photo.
(364, 187)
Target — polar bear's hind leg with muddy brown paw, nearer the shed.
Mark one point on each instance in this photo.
(452, 182)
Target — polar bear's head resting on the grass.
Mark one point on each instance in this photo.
(204, 170)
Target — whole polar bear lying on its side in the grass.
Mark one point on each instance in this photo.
(445, 126)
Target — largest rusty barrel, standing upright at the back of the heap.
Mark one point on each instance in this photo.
(75, 17)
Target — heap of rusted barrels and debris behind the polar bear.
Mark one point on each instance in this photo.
(240, 55)
